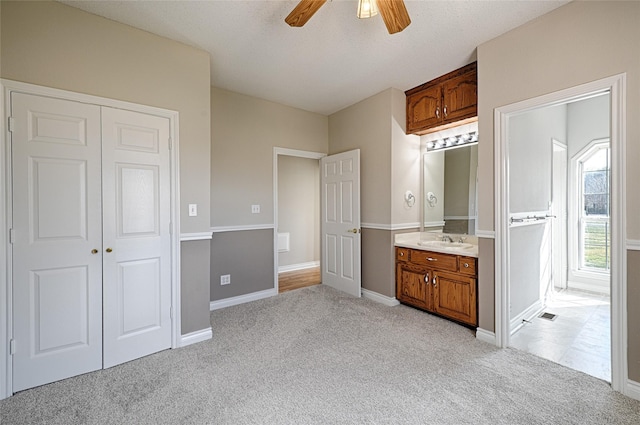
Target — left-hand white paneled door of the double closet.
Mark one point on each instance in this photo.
(56, 240)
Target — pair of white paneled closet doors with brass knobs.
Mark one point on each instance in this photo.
(90, 238)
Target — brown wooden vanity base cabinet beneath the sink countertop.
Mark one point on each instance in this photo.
(439, 283)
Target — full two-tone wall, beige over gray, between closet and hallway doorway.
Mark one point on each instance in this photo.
(244, 132)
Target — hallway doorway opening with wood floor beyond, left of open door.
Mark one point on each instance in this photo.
(297, 219)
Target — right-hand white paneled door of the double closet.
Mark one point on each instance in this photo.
(137, 243)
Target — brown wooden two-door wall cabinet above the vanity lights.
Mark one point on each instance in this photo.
(437, 104)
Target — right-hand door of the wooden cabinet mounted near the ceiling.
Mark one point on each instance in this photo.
(460, 97)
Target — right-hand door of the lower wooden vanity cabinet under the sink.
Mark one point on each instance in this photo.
(454, 296)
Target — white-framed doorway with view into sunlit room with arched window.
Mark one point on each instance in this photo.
(533, 276)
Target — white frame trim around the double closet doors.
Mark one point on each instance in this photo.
(6, 207)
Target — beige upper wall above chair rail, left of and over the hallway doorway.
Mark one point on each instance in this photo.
(244, 132)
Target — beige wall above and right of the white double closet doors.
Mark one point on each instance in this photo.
(50, 44)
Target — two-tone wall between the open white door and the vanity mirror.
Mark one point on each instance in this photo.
(389, 166)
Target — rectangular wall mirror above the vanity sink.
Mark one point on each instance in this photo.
(449, 182)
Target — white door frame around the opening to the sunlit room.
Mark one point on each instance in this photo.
(616, 86)
